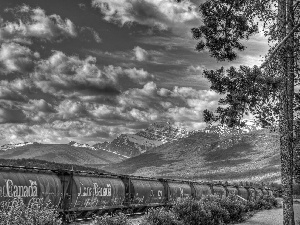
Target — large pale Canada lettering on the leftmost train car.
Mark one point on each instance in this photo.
(11, 190)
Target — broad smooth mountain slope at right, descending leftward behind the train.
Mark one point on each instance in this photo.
(251, 155)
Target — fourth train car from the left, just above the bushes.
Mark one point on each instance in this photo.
(176, 189)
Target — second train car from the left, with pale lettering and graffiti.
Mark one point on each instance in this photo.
(87, 193)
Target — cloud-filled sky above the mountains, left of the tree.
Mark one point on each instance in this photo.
(90, 70)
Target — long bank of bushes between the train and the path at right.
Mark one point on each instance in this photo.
(211, 210)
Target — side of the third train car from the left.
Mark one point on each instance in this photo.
(147, 192)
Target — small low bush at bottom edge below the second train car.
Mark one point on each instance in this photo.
(119, 219)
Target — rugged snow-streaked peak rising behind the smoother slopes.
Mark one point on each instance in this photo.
(134, 144)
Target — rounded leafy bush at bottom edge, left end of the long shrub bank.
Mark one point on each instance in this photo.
(160, 216)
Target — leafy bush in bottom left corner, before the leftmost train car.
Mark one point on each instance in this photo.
(17, 213)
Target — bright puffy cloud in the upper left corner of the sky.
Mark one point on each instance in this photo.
(34, 23)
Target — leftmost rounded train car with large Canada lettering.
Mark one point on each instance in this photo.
(32, 185)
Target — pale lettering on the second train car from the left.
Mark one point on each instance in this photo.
(95, 190)
